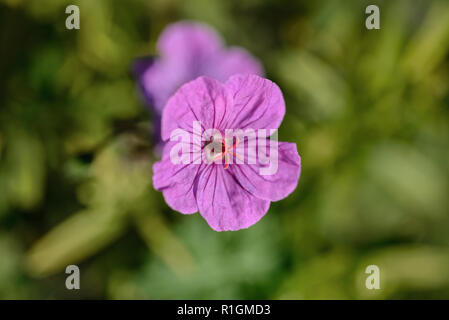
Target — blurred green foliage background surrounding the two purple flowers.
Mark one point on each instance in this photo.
(367, 109)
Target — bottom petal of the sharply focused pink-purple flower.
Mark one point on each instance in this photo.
(223, 202)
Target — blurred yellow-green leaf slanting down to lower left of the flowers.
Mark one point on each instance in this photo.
(118, 184)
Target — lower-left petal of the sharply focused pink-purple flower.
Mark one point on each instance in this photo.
(177, 182)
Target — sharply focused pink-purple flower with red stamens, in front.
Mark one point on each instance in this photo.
(228, 194)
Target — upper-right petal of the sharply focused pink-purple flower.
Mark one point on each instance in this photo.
(258, 103)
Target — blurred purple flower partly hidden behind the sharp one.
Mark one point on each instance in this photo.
(189, 50)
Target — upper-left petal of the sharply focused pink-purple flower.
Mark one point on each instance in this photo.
(203, 99)
